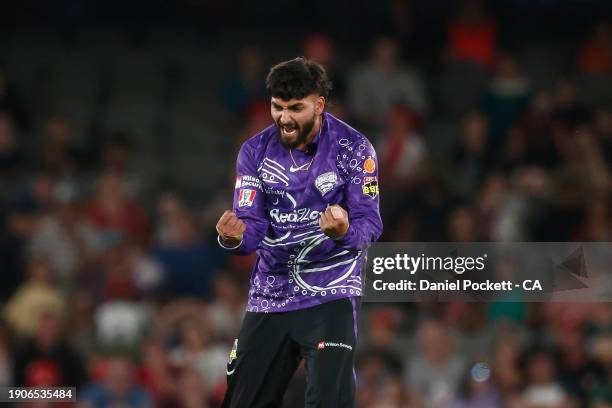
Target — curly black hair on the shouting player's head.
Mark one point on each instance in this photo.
(298, 78)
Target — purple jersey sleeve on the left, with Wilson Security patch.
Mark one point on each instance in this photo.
(249, 203)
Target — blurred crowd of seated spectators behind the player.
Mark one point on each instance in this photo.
(112, 280)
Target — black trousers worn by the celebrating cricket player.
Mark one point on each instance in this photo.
(271, 345)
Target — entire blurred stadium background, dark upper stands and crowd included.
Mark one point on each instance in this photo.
(119, 126)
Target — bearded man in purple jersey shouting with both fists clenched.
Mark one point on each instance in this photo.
(306, 199)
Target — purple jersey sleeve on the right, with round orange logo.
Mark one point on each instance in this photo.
(362, 199)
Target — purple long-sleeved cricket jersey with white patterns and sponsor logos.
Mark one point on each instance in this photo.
(280, 195)
